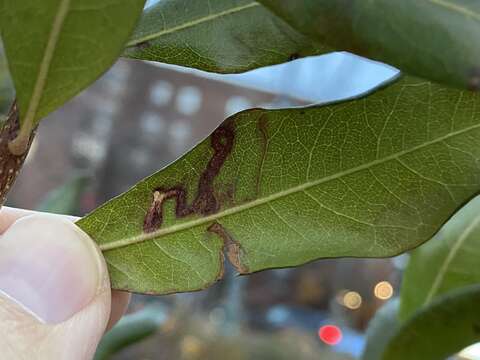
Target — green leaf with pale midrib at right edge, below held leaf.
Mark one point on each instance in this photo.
(447, 262)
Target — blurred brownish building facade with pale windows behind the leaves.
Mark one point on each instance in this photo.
(132, 122)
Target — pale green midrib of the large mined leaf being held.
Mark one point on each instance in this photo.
(260, 201)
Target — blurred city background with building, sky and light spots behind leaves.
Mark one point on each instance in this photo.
(138, 118)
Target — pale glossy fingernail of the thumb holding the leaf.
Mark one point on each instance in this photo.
(49, 266)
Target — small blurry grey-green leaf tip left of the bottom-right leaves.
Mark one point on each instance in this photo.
(381, 329)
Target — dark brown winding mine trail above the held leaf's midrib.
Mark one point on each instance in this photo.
(205, 202)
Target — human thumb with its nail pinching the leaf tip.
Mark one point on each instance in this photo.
(54, 291)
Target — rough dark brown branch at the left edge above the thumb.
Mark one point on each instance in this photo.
(10, 164)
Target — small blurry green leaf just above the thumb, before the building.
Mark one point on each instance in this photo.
(65, 199)
